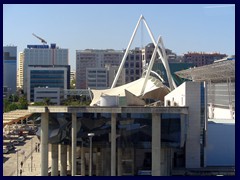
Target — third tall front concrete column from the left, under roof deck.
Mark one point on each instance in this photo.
(113, 144)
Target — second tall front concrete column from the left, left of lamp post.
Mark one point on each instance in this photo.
(74, 143)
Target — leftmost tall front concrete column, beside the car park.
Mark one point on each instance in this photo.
(44, 144)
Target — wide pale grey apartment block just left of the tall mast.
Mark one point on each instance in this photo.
(91, 58)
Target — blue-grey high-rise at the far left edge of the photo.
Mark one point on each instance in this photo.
(10, 68)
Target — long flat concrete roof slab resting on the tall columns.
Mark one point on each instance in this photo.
(90, 109)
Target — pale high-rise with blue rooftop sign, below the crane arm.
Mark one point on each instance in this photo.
(43, 55)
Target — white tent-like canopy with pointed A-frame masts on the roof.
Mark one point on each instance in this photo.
(145, 87)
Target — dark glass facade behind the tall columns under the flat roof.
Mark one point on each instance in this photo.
(133, 143)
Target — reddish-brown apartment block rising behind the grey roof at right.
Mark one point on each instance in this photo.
(202, 58)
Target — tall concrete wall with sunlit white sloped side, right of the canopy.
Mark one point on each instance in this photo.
(188, 94)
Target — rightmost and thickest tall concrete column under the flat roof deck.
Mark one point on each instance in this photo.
(156, 144)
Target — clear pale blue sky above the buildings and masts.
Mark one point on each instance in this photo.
(193, 27)
